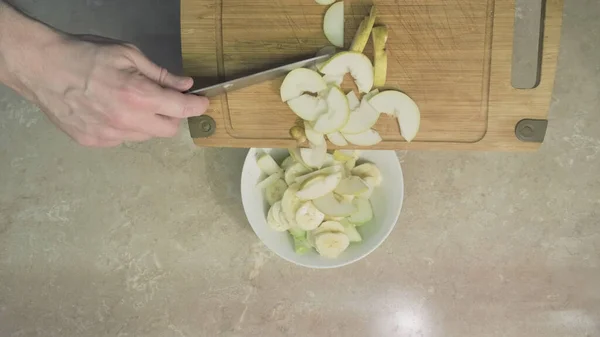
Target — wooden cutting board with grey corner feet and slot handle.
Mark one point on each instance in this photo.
(453, 57)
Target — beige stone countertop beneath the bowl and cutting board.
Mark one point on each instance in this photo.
(151, 240)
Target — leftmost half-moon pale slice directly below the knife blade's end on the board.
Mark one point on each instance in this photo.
(300, 81)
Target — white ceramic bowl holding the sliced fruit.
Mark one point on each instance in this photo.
(386, 201)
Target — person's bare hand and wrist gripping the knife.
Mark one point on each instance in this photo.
(99, 93)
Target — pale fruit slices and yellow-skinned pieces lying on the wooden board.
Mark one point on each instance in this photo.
(326, 111)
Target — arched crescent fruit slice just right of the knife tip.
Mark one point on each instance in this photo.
(357, 64)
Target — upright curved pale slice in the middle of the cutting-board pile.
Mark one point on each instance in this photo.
(337, 113)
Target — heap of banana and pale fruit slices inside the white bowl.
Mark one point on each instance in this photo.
(319, 206)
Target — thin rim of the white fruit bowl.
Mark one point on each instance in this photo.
(251, 154)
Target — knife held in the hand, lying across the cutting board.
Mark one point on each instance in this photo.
(259, 77)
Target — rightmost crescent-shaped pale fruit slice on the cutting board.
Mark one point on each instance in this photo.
(403, 107)
